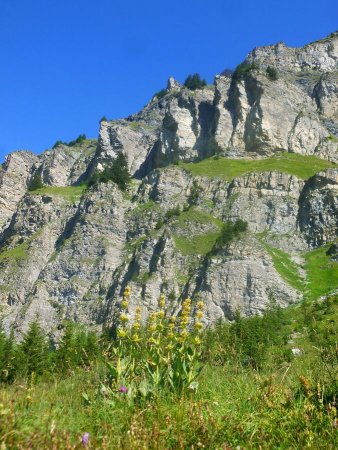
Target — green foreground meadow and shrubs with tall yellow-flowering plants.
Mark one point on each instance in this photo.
(247, 389)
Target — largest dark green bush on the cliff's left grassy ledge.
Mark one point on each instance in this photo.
(117, 172)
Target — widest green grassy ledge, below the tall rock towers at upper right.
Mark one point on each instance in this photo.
(302, 166)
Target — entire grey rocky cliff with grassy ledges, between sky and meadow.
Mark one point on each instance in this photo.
(259, 145)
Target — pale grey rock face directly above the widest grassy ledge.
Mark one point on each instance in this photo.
(259, 115)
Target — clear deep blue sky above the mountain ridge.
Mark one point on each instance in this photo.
(65, 64)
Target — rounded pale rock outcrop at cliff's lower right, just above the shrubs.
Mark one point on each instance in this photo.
(246, 275)
